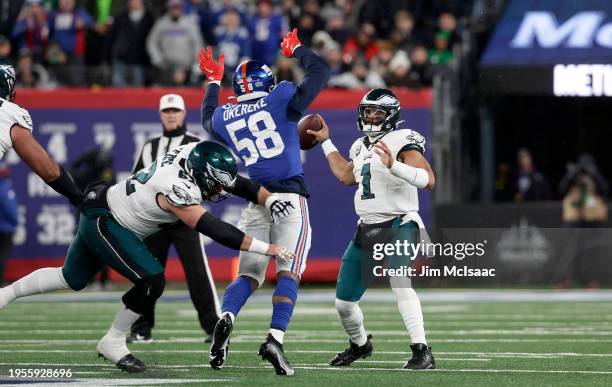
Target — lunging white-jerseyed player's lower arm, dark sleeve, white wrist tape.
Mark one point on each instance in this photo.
(228, 235)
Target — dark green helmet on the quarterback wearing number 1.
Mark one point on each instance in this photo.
(384, 105)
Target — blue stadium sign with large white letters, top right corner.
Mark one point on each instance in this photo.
(557, 47)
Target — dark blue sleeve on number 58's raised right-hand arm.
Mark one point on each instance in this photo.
(315, 79)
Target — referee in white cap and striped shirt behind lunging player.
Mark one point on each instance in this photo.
(186, 241)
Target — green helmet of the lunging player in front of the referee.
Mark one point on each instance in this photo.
(214, 169)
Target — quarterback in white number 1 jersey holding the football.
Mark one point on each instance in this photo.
(388, 166)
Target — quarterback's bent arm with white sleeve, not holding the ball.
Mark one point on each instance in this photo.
(410, 166)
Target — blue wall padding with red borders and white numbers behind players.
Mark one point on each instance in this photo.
(68, 122)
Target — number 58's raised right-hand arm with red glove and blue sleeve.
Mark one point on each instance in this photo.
(315, 78)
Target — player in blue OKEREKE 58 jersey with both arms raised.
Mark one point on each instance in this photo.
(262, 130)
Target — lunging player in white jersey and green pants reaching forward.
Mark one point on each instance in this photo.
(115, 219)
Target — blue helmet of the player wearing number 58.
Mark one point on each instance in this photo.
(252, 79)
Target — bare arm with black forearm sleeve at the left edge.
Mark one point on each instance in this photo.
(38, 159)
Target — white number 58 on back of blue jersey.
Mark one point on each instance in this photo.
(258, 147)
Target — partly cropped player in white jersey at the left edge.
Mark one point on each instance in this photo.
(16, 132)
